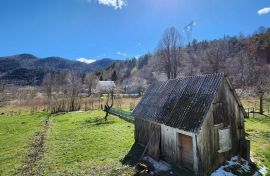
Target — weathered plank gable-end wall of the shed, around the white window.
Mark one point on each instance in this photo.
(224, 112)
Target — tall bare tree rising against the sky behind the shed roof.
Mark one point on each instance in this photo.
(169, 53)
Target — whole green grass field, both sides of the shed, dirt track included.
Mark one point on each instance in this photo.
(82, 143)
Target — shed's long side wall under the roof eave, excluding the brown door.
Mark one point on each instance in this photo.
(164, 142)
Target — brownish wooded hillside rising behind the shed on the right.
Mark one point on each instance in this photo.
(246, 59)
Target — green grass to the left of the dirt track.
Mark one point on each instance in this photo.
(16, 132)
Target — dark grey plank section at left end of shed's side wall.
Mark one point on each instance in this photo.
(145, 132)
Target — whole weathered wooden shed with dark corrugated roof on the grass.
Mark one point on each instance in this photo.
(194, 122)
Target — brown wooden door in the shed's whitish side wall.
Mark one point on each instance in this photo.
(186, 151)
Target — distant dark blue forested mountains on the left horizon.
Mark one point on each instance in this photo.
(29, 69)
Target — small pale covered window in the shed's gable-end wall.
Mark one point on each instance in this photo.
(225, 142)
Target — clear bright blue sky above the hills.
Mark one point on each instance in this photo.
(97, 29)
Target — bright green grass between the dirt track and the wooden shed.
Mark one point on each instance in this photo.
(84, 144)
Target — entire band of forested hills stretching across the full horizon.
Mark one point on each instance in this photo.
(246, 59)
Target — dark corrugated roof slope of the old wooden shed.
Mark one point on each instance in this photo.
(180, 103)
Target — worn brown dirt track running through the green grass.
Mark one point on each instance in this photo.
(35, 152)
